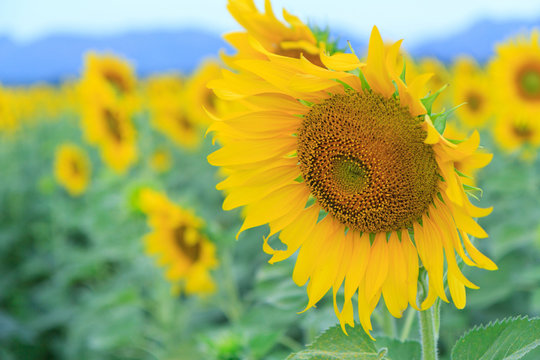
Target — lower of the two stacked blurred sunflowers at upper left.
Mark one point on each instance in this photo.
(107, 124)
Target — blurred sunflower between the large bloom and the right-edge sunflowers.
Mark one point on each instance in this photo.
(471, 88)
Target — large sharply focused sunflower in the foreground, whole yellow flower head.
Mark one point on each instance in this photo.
(348, 168)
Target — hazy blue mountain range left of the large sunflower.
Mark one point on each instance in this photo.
(54, 58)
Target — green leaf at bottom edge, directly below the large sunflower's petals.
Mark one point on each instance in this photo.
(333, 344)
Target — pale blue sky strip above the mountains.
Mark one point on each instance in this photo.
(26, 20)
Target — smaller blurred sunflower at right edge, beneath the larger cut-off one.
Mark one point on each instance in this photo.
(517, 131)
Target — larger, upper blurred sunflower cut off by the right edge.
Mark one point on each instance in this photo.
(515, 73)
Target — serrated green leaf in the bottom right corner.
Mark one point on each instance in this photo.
(509, 339)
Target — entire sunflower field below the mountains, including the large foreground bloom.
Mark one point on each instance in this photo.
(294, 197)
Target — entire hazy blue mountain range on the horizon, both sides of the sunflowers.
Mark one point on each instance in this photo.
(54, 58)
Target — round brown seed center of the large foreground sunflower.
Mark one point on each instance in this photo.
(364, 158)
